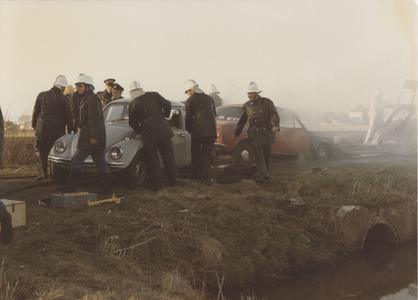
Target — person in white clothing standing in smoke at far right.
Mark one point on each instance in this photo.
(376, 114)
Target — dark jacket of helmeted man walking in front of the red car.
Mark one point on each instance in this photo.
(263, 116)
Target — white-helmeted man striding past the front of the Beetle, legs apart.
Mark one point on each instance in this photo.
(92, 138)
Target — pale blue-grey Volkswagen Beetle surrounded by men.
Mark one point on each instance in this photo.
(124, 148)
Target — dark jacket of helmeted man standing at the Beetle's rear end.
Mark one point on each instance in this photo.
(200, 116)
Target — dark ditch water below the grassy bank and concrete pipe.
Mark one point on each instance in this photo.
(382, 272)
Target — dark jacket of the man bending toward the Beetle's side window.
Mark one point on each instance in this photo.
(147, 116)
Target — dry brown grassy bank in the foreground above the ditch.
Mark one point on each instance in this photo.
(179, 242)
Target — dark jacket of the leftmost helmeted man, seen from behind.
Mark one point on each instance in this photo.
(51, 114)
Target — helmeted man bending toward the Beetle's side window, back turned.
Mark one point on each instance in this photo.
(147, 116)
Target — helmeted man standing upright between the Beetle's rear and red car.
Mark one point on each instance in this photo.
(201, 124)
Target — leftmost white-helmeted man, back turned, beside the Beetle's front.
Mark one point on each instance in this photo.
(51, 115)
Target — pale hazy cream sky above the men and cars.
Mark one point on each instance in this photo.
(310, 56)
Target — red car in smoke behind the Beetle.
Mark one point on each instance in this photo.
(293, 139)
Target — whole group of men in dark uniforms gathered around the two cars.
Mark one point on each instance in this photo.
(55, 114)
